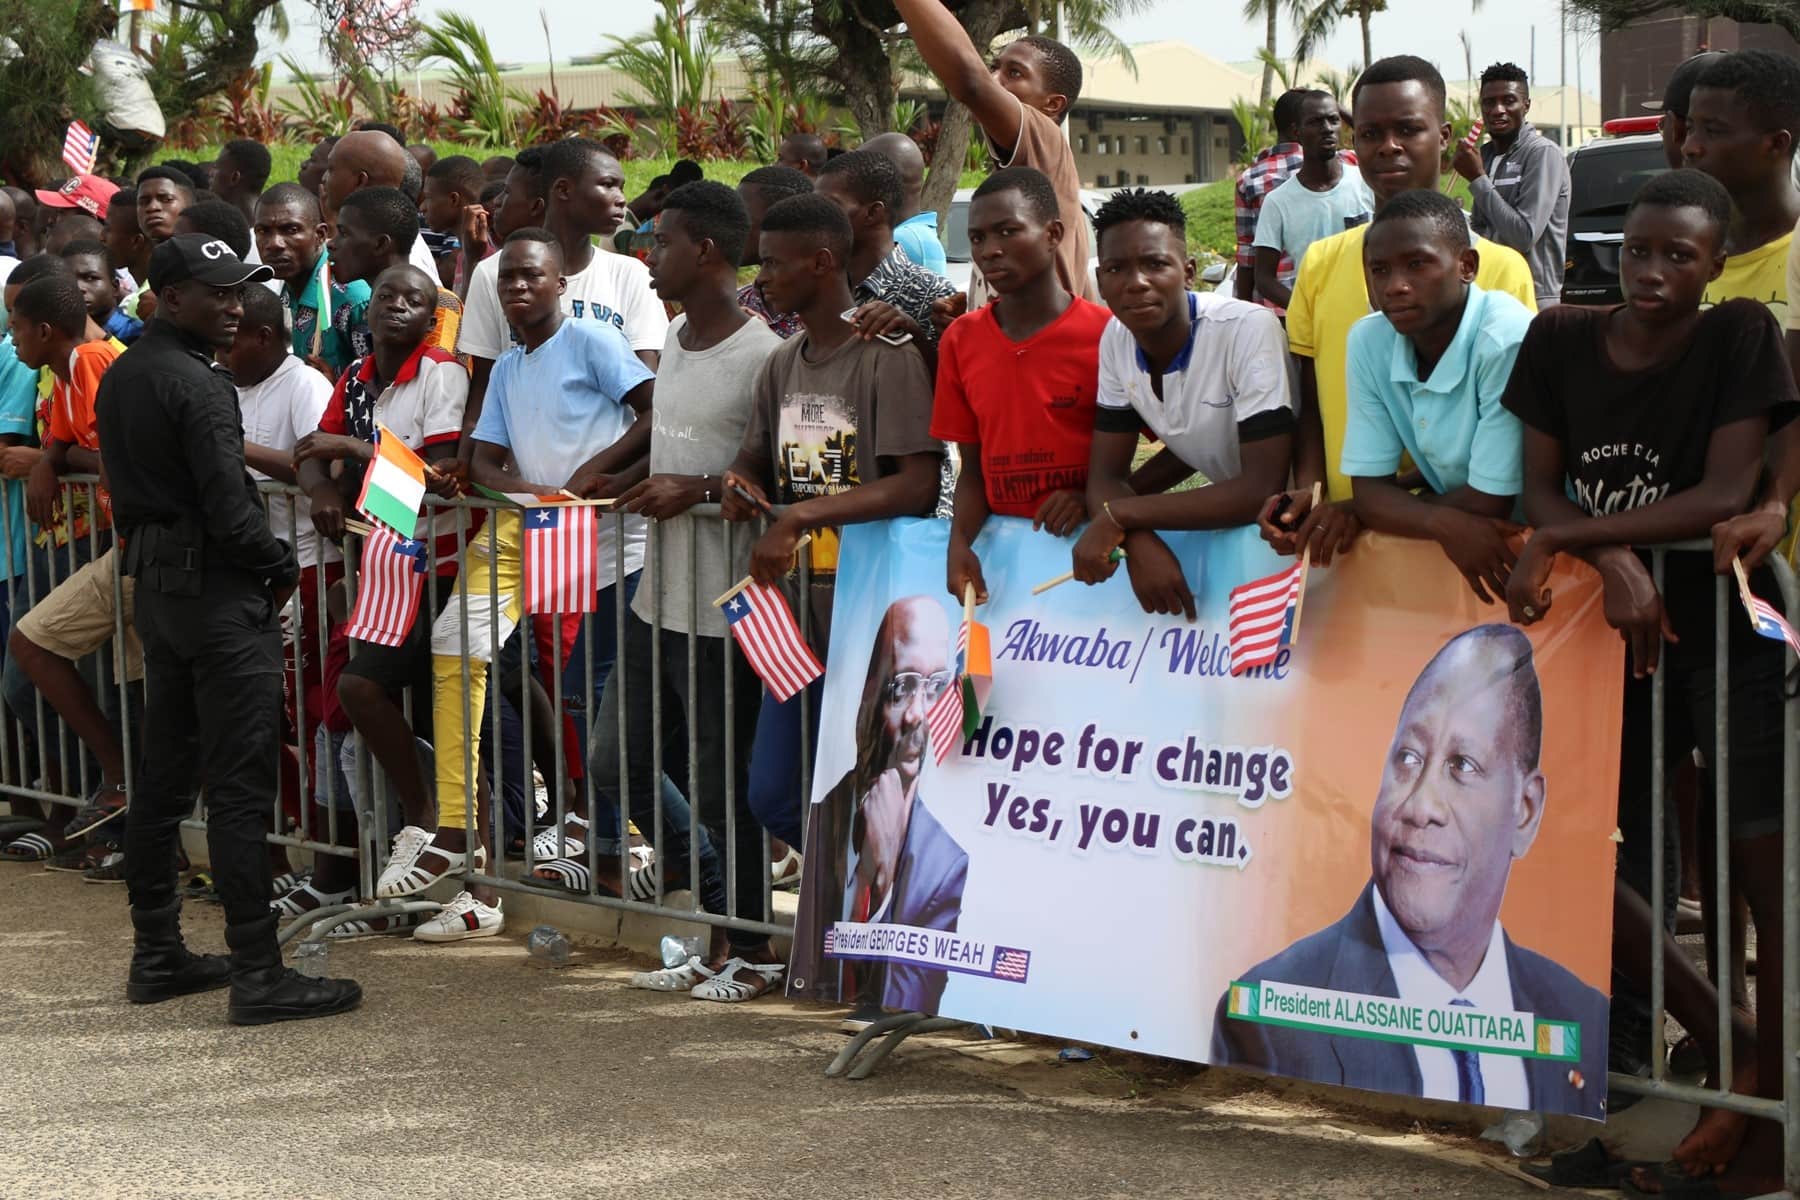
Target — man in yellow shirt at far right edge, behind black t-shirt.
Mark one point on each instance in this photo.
(1741, 130)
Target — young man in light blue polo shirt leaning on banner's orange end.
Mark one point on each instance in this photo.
(1426, 373)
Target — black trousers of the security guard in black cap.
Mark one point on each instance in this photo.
(211, 713)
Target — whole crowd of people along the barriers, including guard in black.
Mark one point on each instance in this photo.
(1389, 363)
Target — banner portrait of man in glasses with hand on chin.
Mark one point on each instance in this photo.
(886, 861)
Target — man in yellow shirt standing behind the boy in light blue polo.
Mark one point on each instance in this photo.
(1401, 139)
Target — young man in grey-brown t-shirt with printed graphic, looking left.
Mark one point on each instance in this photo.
(840, 425)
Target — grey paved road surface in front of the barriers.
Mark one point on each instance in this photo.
(474, 1073)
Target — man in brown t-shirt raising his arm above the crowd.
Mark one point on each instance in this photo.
(1020, 103)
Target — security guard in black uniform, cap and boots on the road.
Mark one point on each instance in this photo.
(210, 582)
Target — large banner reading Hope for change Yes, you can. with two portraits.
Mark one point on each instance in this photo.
(1383, 861)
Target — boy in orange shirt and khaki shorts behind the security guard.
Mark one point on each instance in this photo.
(51, 330)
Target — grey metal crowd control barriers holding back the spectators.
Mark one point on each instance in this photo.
(69, 767)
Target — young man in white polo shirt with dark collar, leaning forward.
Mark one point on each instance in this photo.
(1207, 375)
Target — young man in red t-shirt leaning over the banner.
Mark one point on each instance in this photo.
(1018, 379)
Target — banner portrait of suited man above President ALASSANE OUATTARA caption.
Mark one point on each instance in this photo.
(1461, 798)
